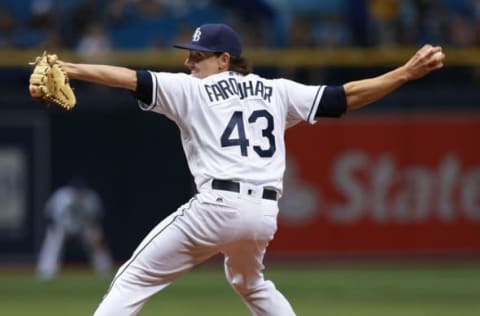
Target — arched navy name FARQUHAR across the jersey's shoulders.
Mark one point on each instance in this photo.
(227, 88)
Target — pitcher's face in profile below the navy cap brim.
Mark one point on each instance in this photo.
(204, 64)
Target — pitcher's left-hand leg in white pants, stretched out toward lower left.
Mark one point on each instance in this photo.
(165, 254)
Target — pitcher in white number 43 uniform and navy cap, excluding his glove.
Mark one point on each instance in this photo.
(232, 125)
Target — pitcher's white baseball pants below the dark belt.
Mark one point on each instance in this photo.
(239, 225)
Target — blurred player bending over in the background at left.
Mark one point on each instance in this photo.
(73, 211)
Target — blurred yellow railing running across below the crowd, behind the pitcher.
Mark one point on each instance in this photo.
(352, 57)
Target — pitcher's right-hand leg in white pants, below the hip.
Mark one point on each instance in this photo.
(243, 269)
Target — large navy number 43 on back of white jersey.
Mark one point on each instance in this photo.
(236, 122)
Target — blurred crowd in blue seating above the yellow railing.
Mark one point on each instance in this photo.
(90, 26)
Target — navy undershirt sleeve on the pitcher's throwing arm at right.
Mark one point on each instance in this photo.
(333, 102)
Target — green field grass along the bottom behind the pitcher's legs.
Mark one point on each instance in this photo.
(314, 291)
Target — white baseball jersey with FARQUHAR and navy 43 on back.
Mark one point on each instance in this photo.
(232, 126)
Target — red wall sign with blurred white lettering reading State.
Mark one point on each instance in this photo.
(382, 185)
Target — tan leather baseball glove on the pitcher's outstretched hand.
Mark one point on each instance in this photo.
(49, 82)
